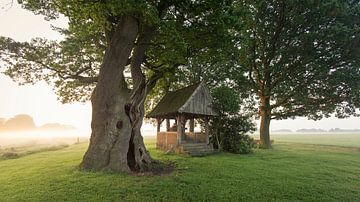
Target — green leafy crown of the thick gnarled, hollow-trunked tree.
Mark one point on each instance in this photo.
(72, 65)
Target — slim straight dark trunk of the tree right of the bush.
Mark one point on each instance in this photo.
(265, 114)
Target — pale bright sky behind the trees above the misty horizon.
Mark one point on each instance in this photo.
(40, 101)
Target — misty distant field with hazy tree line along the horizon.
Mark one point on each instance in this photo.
(20, 133)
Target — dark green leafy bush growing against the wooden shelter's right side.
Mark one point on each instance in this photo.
(228, 130)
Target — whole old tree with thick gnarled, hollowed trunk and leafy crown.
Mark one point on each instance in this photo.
(117, 50)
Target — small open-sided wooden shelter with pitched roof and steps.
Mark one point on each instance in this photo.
(189, 103)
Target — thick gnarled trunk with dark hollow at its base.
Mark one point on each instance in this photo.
(116, 143)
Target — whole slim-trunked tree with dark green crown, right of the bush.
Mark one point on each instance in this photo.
(297, 58)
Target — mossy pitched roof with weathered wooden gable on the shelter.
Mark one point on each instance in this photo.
(193, 100)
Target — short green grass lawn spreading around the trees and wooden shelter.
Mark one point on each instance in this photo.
(296, 169)
